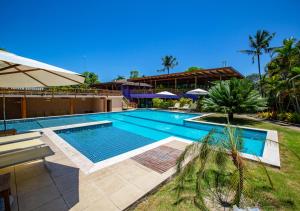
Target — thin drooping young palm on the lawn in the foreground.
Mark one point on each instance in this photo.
(213, 168)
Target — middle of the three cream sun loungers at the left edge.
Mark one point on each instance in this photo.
(6, 148)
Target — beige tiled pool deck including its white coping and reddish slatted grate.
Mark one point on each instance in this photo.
(72, 182)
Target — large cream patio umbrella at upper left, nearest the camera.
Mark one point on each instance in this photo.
(21, 72)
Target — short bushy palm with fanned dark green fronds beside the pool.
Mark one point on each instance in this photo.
(233, 96)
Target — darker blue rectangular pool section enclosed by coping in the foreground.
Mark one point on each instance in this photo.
(96, 143)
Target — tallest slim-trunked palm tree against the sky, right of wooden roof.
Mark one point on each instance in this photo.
(259, 44)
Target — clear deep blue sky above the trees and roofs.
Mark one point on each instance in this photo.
(114, 37)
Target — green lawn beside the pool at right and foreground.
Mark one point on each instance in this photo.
(286, 192)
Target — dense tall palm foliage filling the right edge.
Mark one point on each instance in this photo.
(283, 77)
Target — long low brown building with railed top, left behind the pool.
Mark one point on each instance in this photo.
(25, 103)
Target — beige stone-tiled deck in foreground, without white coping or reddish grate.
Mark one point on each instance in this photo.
(63, 186)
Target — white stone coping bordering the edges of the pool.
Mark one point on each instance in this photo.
(270, 155)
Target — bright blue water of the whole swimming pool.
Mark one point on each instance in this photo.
(134, 129)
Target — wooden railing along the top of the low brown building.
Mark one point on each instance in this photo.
(60, 91)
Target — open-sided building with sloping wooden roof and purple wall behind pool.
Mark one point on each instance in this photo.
(141, 91)
